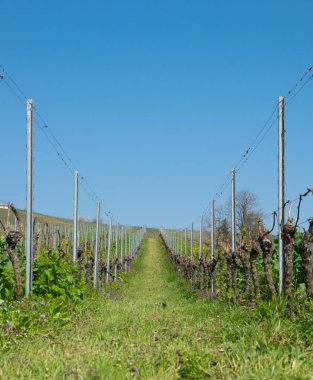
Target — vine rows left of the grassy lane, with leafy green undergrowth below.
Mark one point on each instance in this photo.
(59, 284)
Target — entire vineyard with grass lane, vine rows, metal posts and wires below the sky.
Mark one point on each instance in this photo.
(129, 302)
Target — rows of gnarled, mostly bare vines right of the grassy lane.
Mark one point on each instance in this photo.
(251, 271)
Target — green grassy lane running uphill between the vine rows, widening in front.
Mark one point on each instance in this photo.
(153, 328)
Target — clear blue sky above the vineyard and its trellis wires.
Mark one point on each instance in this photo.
(155, 100)
